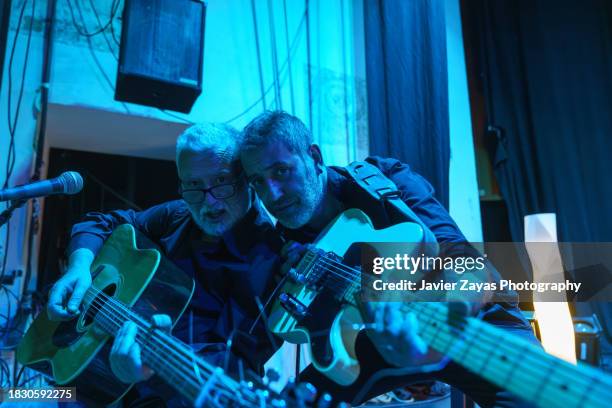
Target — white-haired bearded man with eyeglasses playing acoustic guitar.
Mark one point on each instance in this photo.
(218, 233)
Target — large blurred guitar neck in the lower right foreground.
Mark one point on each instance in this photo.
(509, 361)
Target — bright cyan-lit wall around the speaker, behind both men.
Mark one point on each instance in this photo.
(231, 79)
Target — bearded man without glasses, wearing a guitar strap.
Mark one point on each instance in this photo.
(288, 173)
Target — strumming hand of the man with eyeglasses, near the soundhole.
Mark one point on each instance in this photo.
(67, 294)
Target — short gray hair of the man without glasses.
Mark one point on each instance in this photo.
(277, 126)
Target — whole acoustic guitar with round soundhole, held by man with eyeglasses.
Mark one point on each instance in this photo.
(132, 281)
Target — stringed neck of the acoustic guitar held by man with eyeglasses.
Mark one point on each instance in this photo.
(174, 361)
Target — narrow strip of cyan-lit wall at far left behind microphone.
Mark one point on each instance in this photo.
(19, 78)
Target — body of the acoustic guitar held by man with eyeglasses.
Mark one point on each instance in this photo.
(75, 352)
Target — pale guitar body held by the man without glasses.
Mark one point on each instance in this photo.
(318, 302)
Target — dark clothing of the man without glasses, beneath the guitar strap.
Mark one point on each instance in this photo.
(418, 194)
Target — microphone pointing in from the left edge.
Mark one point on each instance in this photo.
(69, 182)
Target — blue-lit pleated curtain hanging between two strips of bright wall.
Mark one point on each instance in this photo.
(407, 86)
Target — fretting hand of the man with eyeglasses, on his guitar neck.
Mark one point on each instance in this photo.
(125, 356)
